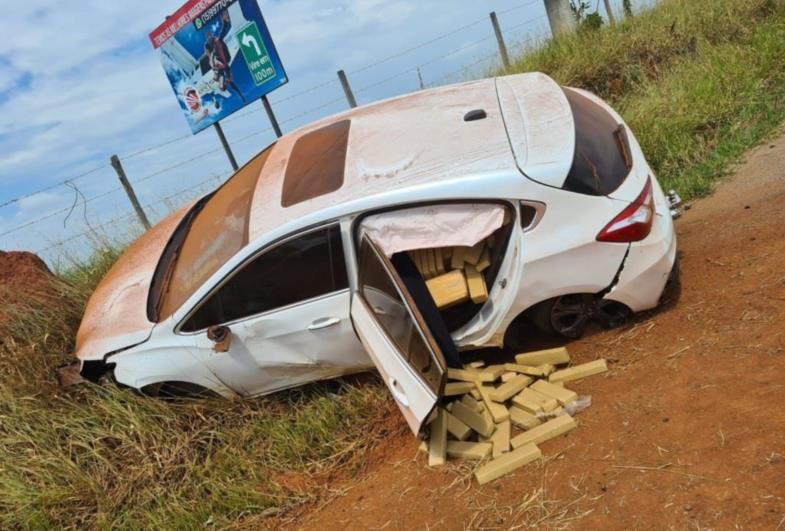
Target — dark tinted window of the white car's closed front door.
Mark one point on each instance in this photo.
(299, 269)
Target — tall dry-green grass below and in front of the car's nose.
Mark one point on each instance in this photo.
(103, 457)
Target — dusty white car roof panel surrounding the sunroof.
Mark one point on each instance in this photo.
(417, 139)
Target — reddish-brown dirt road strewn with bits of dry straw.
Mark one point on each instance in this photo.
(687, 430)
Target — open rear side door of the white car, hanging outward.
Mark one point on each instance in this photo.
(397, 339)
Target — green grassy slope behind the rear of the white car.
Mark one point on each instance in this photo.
(699, 81)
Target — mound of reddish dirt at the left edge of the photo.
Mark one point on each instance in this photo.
(23, 276)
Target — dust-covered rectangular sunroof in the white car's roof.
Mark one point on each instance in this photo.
(316, 164)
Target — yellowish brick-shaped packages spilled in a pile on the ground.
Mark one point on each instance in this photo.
(505, 411)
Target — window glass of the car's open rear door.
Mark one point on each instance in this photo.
(385, 301)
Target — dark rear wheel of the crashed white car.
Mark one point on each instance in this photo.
(568, 315)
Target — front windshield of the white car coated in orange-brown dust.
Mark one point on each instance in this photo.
(215, 233)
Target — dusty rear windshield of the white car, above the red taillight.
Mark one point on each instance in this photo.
(602, 158)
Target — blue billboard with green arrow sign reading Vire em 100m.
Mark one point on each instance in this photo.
(218, 56)
